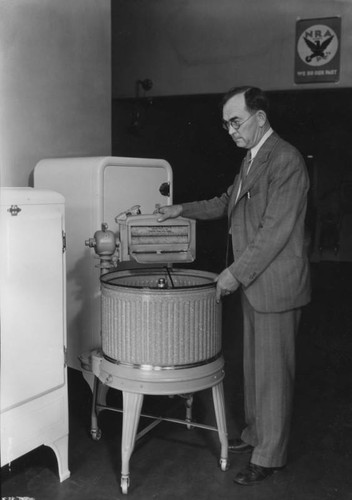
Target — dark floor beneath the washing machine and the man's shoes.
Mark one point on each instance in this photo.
(172, 462)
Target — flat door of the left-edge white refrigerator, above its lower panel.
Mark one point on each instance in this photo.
(32, 295)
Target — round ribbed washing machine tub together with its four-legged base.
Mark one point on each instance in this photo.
(159, 341)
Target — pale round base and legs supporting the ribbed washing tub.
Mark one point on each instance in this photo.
(134, 384)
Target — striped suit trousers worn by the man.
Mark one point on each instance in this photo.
(269, 372)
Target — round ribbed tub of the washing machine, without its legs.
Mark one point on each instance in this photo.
(171, 327)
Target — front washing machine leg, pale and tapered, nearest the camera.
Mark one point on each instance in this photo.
(132, 405)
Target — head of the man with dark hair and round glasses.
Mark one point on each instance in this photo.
(245, 115)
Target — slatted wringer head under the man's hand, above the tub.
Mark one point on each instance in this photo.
(147, 241)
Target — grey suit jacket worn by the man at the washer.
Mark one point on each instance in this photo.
(267, 227)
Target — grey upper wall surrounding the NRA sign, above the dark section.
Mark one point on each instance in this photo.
(208, 46)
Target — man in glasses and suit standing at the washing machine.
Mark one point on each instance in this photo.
(266, 208)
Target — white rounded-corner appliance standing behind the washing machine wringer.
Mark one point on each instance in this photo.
(96, 190)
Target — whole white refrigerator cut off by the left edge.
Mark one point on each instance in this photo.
(34, 407)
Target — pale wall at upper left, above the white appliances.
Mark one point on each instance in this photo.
(55, 84)
